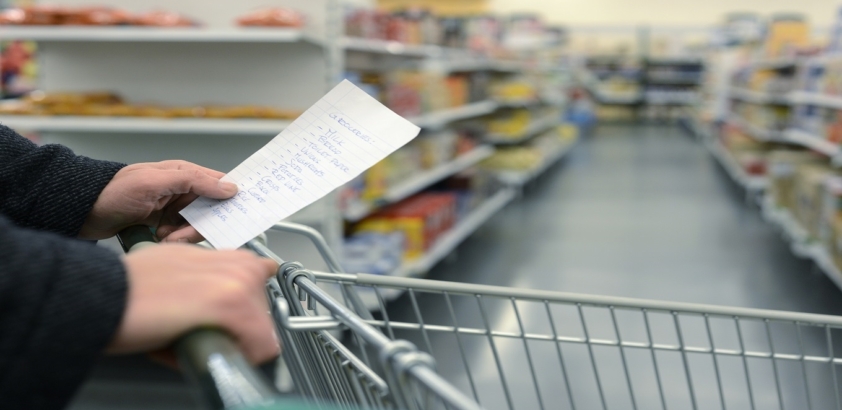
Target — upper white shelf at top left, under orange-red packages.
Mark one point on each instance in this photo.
(153, 34)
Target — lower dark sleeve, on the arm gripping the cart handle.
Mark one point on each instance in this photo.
(61, 301)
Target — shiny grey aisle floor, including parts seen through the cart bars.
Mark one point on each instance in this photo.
(639, 212)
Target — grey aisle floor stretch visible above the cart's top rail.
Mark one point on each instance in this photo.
(642, 212)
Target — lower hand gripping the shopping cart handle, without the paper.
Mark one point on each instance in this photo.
(175, 288)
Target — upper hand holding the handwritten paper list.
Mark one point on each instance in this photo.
(152, 194)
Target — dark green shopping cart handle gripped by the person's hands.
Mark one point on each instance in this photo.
(209, 357)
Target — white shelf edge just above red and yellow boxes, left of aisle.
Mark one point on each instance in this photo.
(420, 181)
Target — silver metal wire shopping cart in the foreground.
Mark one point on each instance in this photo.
(495, 347)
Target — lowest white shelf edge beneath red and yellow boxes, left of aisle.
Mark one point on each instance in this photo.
(450, 240)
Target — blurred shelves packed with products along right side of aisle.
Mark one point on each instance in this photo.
(784, 128)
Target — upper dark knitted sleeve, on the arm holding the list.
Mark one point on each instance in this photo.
(48, 188)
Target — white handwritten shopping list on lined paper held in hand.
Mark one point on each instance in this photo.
(340, 136)
